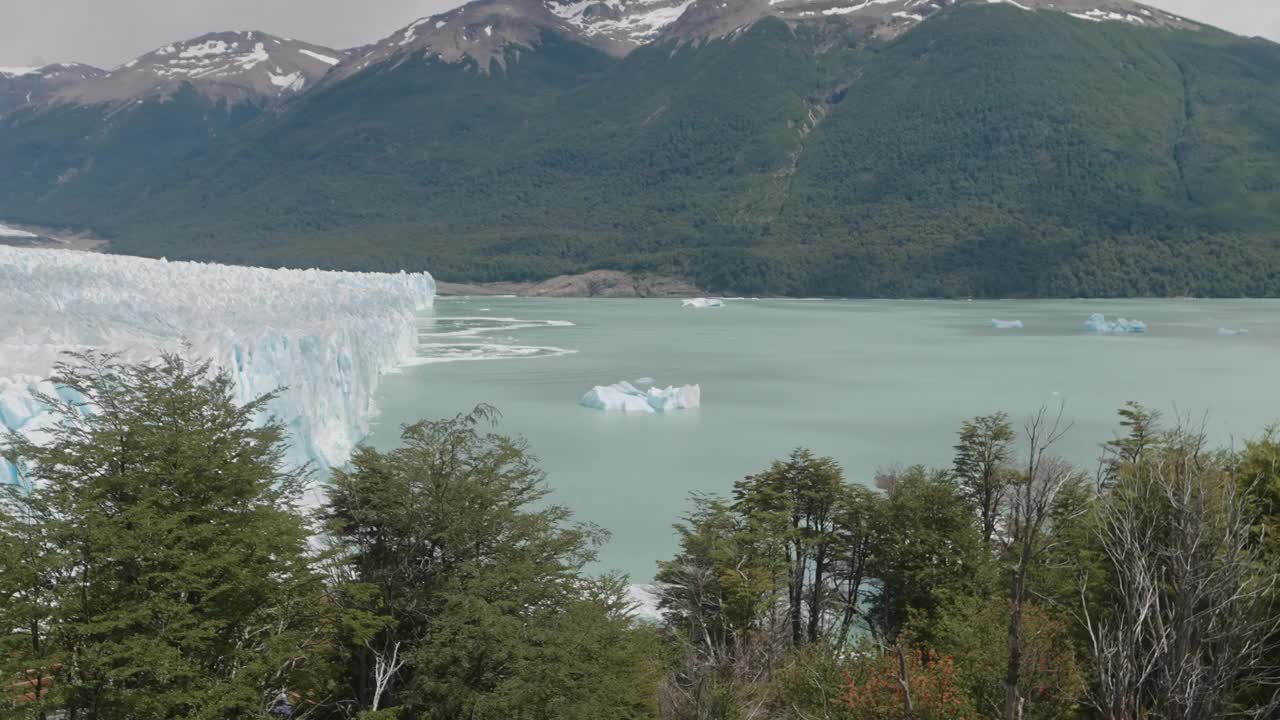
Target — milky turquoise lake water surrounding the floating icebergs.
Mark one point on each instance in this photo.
(872, 384)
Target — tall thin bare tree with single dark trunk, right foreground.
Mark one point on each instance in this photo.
(1030, 507)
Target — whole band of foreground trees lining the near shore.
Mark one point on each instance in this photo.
(158, 563)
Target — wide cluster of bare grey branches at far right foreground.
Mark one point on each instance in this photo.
(1195, 617)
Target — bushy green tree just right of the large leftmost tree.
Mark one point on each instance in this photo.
(481, 584)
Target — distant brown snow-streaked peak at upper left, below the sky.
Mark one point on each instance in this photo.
(222, 66)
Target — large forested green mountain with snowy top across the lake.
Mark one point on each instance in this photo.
(886, 148)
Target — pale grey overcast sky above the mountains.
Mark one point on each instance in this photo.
(111, 33)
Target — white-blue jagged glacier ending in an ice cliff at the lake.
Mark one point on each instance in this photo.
(323, 339)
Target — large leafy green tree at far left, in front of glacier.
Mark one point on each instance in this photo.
(161, 563)
